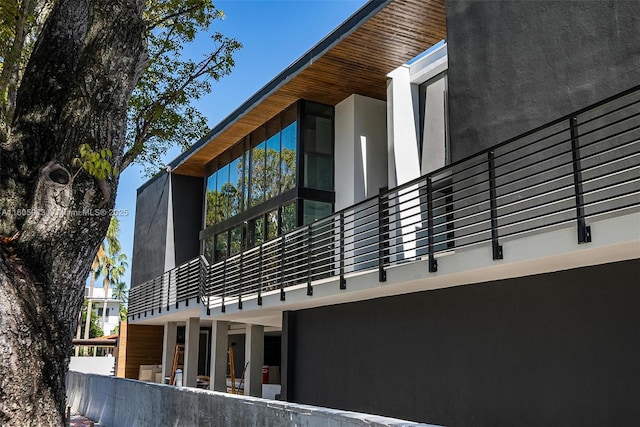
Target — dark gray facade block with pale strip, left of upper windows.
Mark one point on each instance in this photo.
(160, 244)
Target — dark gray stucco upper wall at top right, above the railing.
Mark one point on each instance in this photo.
(516, 65)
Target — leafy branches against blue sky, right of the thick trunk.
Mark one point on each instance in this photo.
(160, 115)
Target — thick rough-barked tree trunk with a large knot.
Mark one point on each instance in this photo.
(75, 91)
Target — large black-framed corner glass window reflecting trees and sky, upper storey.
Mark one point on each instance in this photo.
(248, 183)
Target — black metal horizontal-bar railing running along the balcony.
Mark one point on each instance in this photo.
(566, 173)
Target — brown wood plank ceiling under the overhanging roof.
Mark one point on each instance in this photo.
(358, 64)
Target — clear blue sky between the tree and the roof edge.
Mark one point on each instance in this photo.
(274, 33)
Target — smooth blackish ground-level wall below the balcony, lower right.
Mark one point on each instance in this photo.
(559, 349)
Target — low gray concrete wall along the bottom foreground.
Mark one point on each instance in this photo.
(121, 402)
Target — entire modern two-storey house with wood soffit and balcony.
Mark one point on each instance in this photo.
(490, 284)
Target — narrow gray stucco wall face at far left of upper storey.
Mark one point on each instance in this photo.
(150, 232)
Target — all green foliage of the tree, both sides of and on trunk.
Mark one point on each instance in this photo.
(160, 115)
